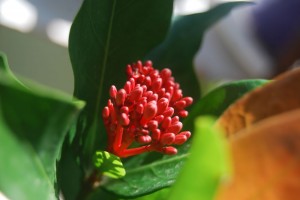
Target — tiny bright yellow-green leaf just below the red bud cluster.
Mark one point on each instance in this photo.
(109, 164)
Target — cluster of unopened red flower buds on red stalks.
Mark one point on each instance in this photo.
(145, 114)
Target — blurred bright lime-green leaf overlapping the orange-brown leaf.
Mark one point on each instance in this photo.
(207, 164)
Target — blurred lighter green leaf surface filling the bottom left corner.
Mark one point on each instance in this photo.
(22, 170)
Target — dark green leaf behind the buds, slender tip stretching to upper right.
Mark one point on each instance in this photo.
(182, 43)
